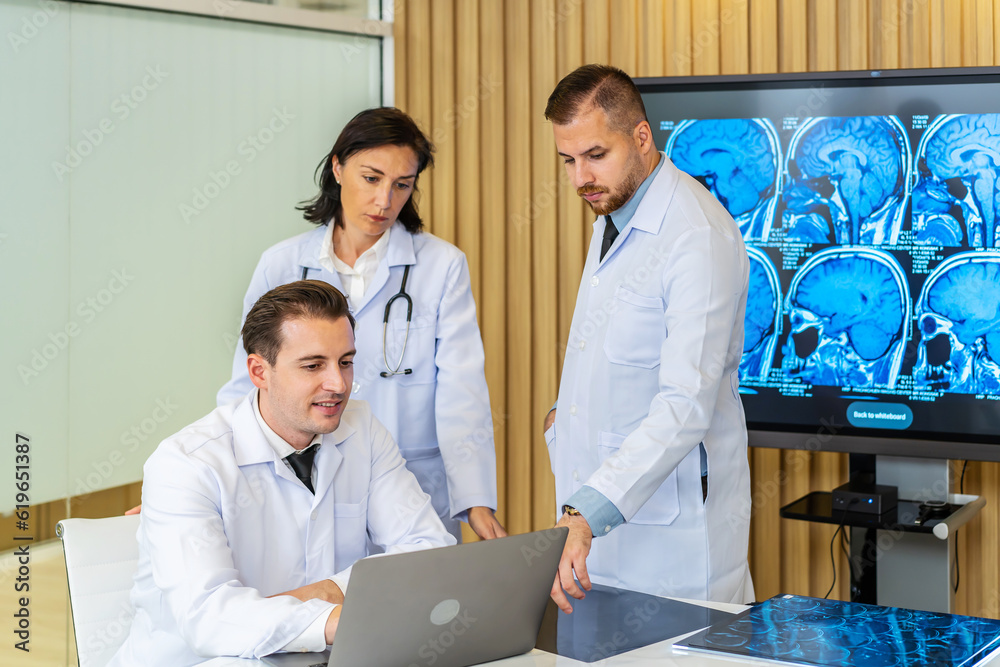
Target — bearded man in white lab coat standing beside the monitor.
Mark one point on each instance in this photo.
(648, 445)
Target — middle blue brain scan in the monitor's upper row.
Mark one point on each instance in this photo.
(847, 181)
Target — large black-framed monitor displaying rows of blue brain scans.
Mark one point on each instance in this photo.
(870, 206)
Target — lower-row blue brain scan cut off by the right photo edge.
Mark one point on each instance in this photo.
(958, 317)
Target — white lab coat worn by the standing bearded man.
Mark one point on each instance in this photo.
(651, 371)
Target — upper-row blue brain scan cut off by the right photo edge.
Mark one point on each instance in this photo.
(956, 199)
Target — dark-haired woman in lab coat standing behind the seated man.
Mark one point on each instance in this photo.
(422, 370)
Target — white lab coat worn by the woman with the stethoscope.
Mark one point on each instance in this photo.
(440, 414)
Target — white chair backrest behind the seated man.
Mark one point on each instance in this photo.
(101, 557)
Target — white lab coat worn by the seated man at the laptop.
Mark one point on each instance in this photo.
(226, 523)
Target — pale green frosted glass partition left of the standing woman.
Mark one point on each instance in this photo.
(120, 308)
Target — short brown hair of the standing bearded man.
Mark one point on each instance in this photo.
(603, 86)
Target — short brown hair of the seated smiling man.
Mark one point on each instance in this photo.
(303, 299)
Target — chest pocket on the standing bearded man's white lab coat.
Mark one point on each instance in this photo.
(636, 330)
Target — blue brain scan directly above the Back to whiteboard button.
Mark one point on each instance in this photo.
(849, 311)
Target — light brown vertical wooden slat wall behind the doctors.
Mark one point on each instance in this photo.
(476, 74)
